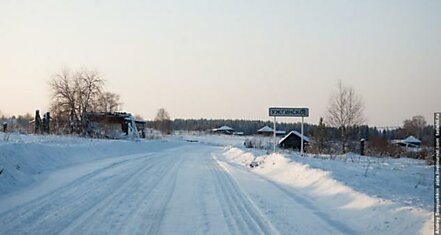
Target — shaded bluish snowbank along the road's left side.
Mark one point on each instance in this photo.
(24, 158)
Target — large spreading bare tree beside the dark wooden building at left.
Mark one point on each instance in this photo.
(74, 94)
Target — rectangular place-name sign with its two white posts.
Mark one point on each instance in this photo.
(288, 112)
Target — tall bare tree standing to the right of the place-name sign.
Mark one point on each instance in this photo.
(345, 110)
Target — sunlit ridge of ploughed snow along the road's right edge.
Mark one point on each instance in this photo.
(321, 188)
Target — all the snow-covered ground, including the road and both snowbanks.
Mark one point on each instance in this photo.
(200, 184)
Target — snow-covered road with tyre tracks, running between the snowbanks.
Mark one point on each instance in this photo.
(185, 189)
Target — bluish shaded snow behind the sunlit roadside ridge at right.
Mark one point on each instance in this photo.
(404, 180)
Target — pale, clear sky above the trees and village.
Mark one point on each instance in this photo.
(228, 58)
